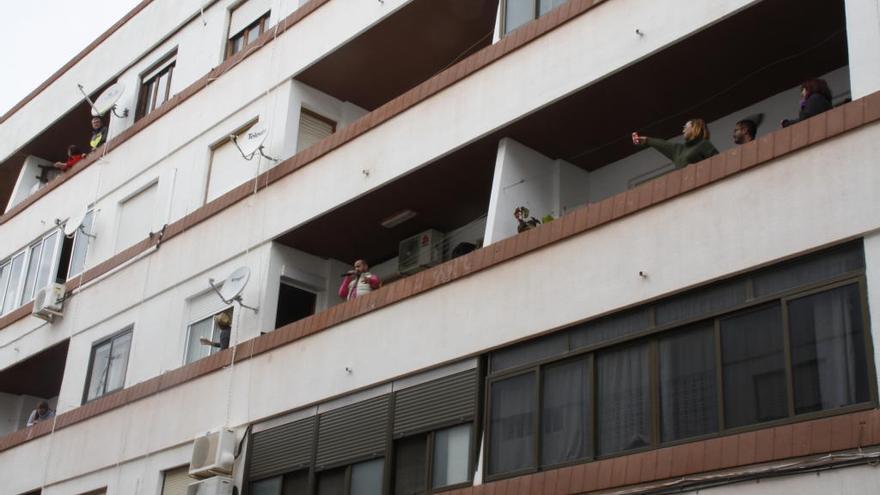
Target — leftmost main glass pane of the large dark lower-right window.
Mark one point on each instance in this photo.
(511, 423)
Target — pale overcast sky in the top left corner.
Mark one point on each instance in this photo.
(46, 34)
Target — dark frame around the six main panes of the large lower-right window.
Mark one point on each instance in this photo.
(652, 338)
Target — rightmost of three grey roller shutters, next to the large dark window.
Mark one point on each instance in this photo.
(438, 402)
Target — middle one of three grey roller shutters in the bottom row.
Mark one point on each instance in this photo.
(352, 432)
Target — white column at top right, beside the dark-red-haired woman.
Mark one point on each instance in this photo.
(863, 39)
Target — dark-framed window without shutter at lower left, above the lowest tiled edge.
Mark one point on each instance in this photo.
(108, 364)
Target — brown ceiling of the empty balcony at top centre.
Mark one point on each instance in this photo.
(401, 51)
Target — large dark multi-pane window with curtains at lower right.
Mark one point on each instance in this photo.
(804, 350)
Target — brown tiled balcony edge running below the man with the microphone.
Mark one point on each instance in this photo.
(734, 161)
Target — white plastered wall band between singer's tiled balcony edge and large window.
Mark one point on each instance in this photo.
(798, 203)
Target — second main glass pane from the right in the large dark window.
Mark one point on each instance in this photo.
(753, 367)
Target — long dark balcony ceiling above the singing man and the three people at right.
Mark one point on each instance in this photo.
(745, 58)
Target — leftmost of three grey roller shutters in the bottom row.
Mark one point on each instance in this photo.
(281, 449)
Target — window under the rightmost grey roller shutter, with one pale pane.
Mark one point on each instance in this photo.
(447, 450)
